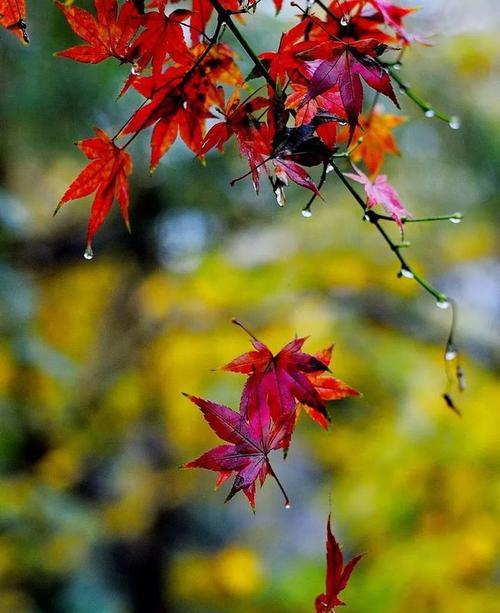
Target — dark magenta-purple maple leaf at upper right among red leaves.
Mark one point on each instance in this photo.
(348, 62)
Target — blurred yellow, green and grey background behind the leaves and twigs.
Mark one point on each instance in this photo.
(95, 516)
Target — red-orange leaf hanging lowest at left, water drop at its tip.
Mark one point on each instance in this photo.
(106, 175)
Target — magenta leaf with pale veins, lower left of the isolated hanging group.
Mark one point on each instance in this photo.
(246, 455)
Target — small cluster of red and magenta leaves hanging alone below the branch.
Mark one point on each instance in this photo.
(276, 389)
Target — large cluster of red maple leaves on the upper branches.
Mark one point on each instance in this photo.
(315, 83)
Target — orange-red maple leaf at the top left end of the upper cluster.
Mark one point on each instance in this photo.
(107, 36)
